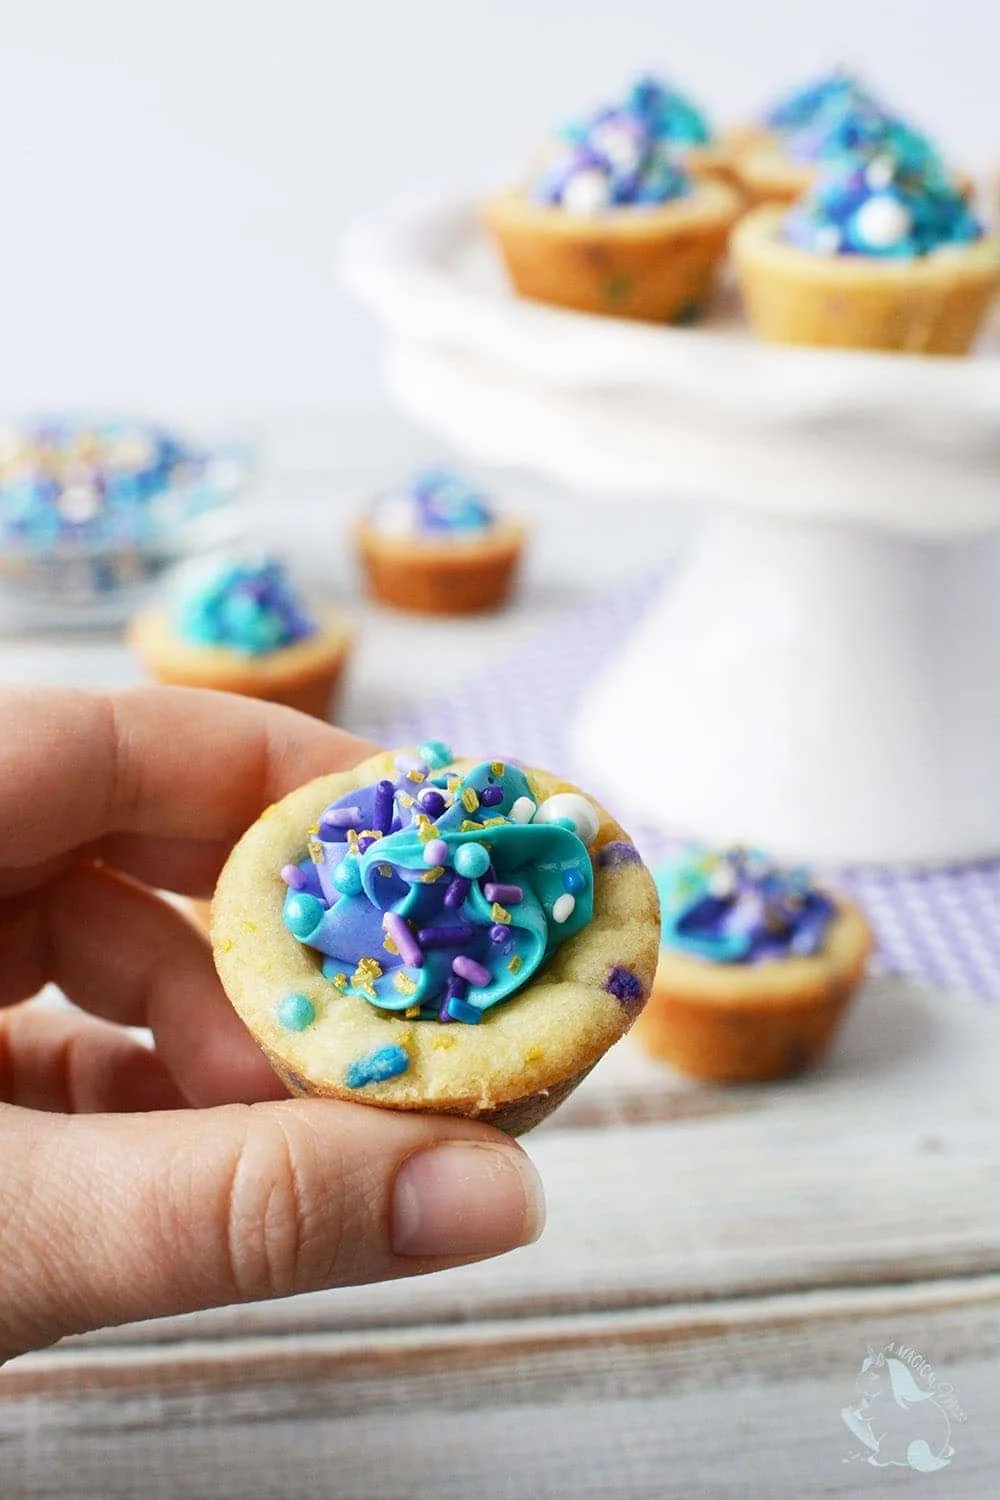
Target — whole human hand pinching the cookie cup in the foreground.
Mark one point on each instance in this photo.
(137, 1181)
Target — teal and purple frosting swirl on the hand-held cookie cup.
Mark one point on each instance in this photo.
(436, 893)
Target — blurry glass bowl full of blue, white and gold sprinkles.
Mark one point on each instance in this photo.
(95, 511)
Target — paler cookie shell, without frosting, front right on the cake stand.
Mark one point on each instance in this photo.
(930, 305)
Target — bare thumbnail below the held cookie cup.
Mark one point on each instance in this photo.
(466, 1199)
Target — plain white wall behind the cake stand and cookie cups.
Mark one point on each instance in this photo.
(178, 176)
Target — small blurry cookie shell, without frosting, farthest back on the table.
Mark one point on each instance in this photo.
(440, 578)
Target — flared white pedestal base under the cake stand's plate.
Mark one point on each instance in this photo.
(821, 689)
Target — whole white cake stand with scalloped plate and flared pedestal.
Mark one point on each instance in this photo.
(822, 676)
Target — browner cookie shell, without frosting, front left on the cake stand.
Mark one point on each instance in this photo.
(654, 265)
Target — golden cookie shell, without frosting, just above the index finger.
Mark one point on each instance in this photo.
(304, 676)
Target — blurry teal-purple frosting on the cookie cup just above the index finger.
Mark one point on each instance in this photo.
(248, 607)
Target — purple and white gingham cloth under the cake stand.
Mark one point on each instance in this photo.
(939, 926)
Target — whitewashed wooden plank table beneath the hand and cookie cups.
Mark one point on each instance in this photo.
(696, 1315)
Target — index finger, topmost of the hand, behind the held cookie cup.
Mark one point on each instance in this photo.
(169, 763)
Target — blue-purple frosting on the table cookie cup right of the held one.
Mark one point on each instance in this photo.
(740, 907)
